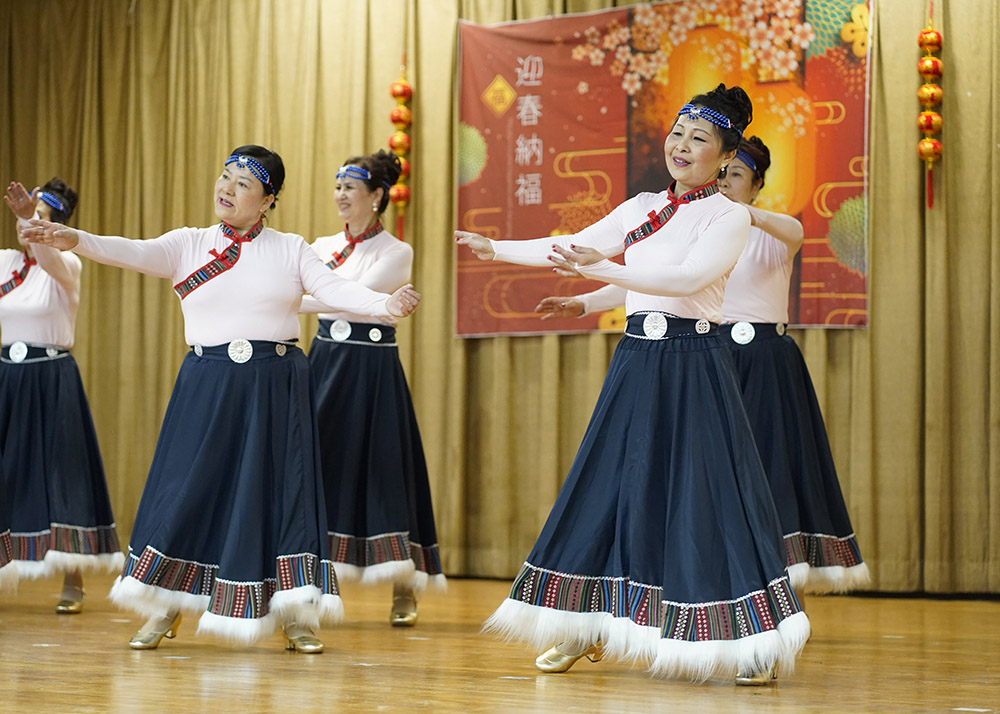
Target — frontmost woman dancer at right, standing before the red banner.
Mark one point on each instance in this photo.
(663, 545)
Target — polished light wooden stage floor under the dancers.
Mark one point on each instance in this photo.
(866, 654)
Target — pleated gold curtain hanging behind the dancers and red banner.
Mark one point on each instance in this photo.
(136, 103)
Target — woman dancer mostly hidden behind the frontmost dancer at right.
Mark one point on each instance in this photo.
(821, 551)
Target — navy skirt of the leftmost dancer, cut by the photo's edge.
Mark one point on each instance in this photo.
(60, 512)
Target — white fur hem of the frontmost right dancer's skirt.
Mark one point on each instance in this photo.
(624, 640)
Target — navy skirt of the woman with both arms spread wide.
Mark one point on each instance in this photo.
(232, 521)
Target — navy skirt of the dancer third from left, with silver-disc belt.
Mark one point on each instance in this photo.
(378, 495)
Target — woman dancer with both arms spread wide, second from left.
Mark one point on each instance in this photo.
(231, 523)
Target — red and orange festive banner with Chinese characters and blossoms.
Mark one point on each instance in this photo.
(562, 119)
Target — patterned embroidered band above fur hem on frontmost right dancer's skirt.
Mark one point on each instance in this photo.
(751, 614)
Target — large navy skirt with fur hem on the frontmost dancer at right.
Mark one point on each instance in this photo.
(664, 543)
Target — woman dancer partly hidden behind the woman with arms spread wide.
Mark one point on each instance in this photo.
(378, 497)
